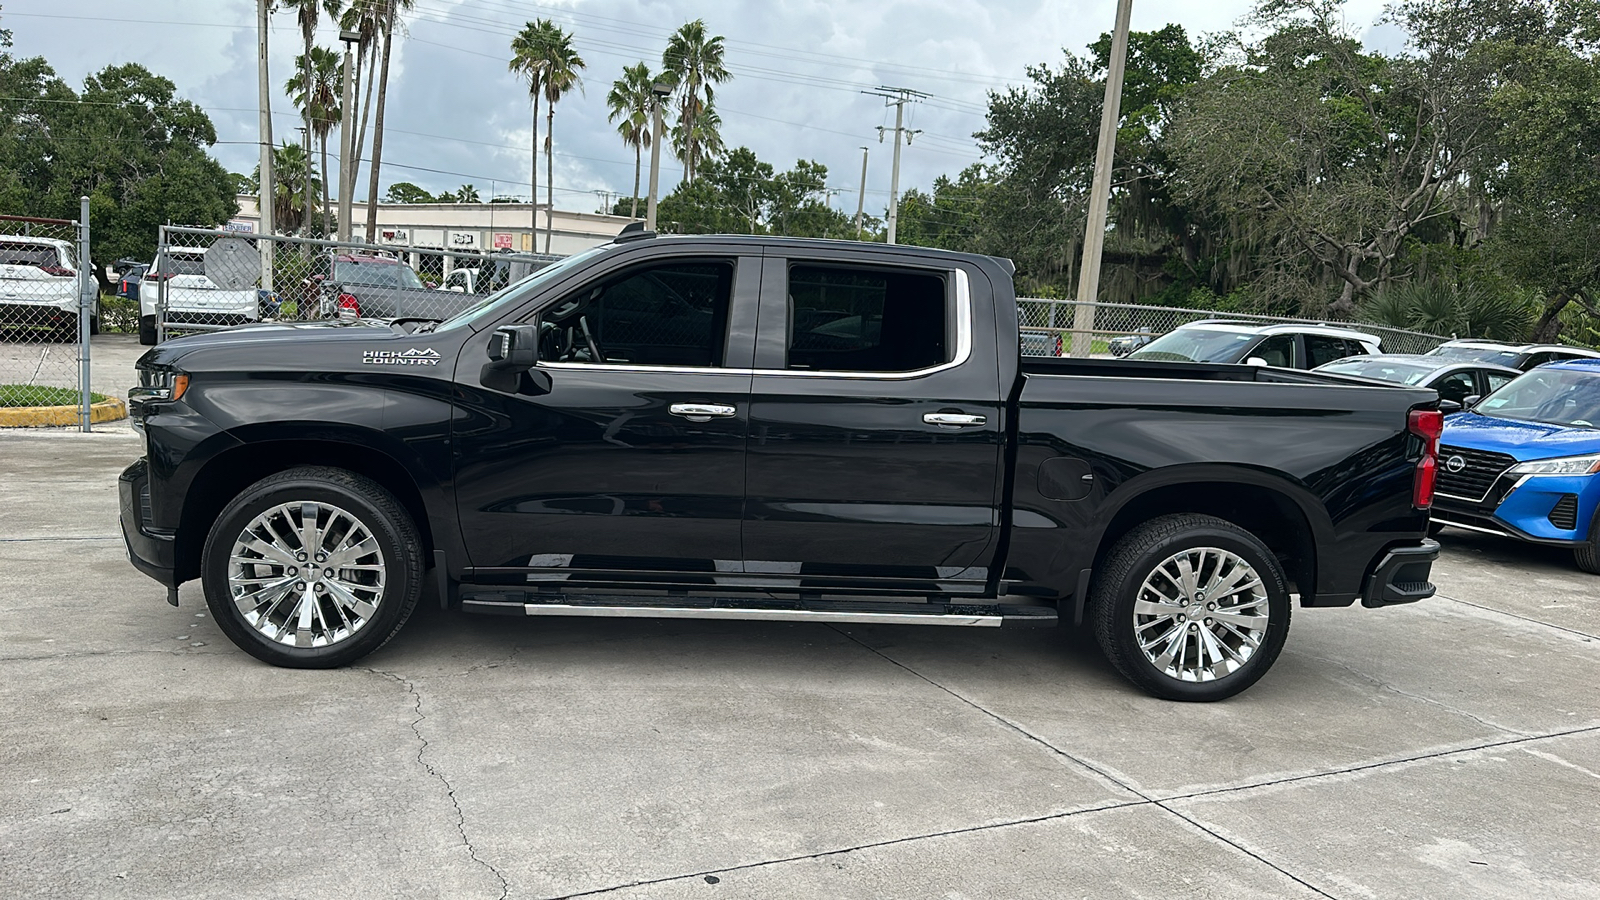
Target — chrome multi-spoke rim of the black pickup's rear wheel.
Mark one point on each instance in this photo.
(1201, 614)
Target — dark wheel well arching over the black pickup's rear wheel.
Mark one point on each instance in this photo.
(1270, 515)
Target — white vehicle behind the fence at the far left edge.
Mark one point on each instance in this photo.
(39, 286)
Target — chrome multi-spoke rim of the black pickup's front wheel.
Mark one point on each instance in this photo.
(306, 574)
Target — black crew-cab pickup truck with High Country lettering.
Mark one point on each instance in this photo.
(772, 430)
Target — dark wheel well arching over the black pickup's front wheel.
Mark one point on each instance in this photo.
(234, 470)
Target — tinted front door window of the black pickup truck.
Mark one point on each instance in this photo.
(670, 315)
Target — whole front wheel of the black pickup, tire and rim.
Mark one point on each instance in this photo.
(313, 568)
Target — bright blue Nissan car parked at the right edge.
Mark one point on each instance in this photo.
(1526, 462)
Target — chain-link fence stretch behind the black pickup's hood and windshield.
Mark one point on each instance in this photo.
(207, 281)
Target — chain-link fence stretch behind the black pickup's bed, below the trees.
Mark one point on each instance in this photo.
(1119, 329)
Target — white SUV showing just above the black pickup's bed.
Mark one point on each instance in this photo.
(1282, 345)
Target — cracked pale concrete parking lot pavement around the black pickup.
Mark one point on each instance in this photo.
(1450, 749)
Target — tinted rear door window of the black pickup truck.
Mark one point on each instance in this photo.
(844, 319)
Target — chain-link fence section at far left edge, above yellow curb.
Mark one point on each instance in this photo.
(49, 310)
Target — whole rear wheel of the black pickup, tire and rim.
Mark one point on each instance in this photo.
(1191, 608)
